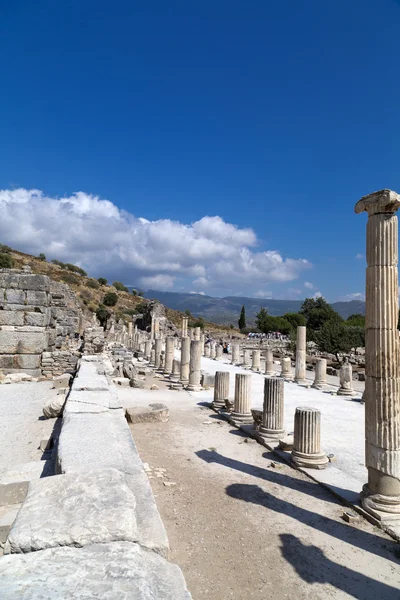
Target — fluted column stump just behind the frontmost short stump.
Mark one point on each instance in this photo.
(272, 420)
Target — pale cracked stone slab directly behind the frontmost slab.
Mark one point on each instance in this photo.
(74, 510)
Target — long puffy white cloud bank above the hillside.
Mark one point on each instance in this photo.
(106, 241)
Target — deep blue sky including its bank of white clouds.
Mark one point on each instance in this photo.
(275, 117)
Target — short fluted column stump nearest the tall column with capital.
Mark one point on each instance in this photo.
(307, 439)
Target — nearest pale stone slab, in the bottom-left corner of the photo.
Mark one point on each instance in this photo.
(116, 571)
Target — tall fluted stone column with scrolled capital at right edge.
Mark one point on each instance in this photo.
(381, 496)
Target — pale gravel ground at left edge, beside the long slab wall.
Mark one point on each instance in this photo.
(22, 422)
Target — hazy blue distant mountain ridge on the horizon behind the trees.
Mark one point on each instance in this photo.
(226, 310)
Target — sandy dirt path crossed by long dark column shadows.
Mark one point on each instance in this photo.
(241, 525)
